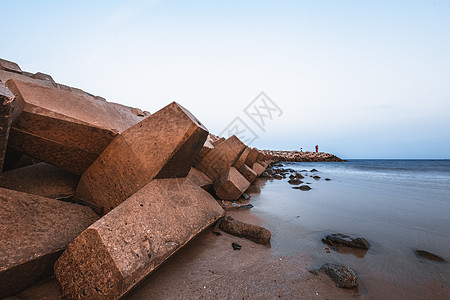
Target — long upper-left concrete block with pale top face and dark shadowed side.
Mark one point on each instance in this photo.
(62, 128)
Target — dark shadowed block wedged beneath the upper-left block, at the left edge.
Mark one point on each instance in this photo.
(41, 179)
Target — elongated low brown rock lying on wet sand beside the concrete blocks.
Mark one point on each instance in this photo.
(251, 232)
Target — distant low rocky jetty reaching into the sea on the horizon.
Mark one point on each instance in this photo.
(297, 156)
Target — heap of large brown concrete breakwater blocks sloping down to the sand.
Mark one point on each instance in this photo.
(100, 194)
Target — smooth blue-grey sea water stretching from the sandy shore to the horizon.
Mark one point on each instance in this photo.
(398, 205)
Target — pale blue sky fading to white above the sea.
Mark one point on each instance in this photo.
(361, 79)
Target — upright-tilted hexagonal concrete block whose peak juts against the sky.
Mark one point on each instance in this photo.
(162, 145)
